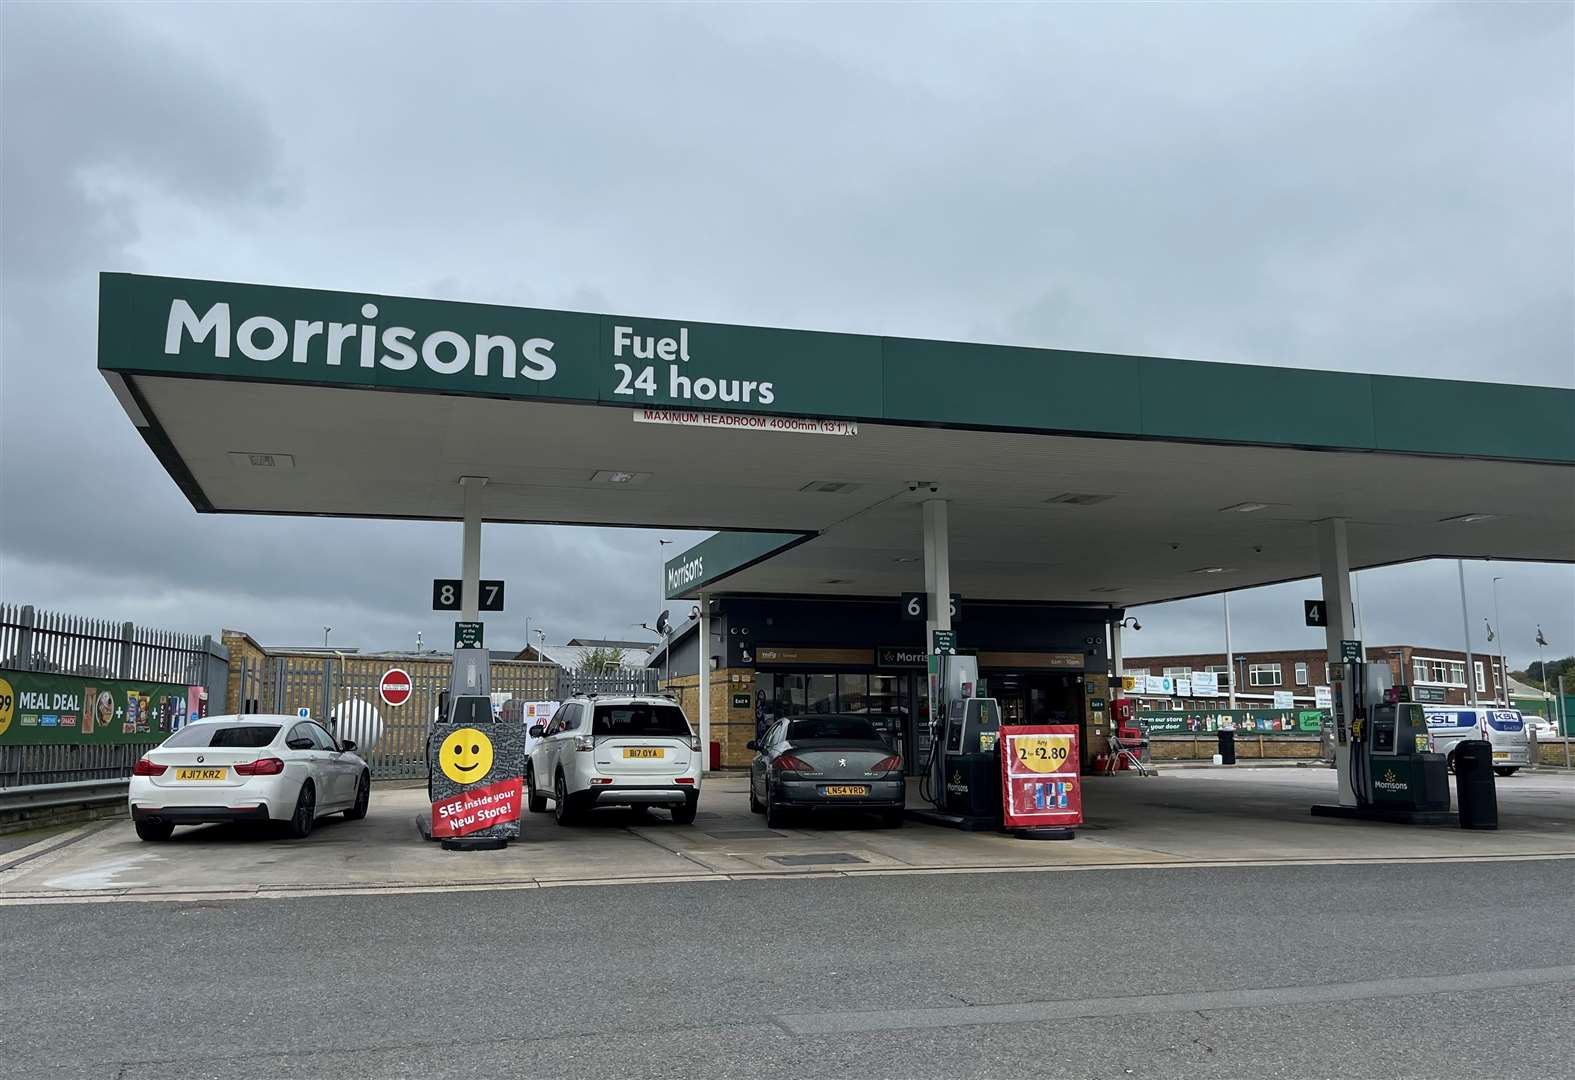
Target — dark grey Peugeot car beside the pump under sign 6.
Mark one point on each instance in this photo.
(826, 763)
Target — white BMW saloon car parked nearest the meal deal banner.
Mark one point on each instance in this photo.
(248, 769)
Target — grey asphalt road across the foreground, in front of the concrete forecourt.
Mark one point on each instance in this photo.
(1374, 971)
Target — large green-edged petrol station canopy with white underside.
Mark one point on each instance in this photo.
(1070, 476)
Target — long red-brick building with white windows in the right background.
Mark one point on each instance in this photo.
(1300, 673)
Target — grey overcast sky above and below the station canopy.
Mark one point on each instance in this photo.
(1371, 188)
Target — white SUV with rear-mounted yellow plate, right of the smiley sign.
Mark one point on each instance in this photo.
(615, 752)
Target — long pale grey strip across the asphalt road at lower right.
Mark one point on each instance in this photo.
(963, 1016)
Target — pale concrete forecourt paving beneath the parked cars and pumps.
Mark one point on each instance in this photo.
(1184, 819)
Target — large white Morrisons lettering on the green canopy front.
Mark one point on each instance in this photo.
(265, 339)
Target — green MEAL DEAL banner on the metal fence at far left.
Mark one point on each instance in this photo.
(42, 709)
